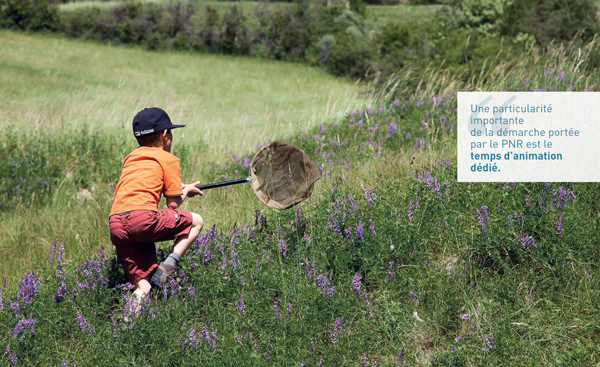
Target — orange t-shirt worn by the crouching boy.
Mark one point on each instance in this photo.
(147, 173)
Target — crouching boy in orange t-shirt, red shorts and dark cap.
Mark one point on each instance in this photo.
(135, 221)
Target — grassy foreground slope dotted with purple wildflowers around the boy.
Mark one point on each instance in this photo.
(392, 262)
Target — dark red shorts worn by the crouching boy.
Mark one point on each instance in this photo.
(133, 234)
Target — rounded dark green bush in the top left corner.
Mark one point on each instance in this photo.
(27, 15)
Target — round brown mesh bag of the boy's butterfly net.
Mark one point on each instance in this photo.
(283, 175)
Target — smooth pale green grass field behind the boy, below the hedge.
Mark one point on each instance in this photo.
(226, 102)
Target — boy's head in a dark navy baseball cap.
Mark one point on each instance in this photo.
(151, 126)
